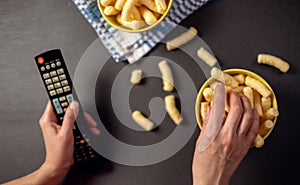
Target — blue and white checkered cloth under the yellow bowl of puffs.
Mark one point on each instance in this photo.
(133, 46)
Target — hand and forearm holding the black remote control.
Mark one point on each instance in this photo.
(59, 144)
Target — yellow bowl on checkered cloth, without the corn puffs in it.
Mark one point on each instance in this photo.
(112, 20)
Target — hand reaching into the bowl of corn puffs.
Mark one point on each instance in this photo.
(217, 163)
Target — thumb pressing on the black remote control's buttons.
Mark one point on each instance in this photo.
(70, 117)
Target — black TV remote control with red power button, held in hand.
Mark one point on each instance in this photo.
(58, 84)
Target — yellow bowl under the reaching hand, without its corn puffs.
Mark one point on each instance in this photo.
(233, 72)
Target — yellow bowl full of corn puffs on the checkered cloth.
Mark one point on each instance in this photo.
(134, 15)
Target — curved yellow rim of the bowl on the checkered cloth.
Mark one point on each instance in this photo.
(130, 30)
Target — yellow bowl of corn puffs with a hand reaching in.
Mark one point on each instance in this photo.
(241, 81)
